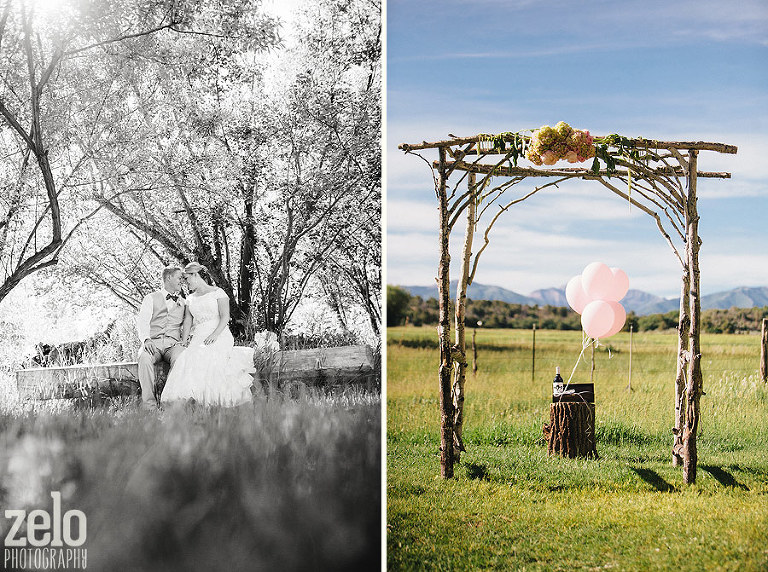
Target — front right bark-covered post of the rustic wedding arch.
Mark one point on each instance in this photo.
(694, 381)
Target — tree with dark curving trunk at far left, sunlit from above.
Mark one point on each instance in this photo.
(37, 53)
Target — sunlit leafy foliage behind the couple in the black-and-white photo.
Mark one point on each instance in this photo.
(208, 140)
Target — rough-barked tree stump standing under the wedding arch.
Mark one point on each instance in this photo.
(571, 430)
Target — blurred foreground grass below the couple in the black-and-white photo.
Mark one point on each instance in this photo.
(281, 484)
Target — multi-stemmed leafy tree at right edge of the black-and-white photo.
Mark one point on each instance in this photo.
(328, 178)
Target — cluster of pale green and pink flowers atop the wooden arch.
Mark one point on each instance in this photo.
(550, 144)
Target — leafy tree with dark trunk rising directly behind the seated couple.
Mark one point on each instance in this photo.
(166, 165)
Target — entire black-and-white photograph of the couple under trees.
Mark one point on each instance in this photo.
(191, 285)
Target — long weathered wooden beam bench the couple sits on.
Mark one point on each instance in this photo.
(312, 367)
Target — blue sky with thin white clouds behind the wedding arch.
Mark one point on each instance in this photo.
(661, 70)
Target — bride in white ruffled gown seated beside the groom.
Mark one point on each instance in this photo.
(210, 370)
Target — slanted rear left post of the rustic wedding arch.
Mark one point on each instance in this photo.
(460, 373)
